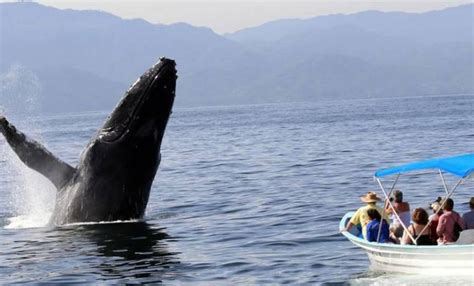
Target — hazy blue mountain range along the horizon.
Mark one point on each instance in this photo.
(85, 60)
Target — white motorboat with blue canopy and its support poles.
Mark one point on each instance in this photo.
(448, 259)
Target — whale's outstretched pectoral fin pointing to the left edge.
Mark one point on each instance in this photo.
(36, 156)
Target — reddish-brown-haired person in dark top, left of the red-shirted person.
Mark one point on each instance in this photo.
(418, 229)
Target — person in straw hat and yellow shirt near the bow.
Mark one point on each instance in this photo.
(361, 217)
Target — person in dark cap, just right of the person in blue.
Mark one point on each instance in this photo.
(403, 211)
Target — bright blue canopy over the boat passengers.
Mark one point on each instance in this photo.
(461, 166)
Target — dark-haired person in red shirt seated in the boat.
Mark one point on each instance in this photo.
(450, 223)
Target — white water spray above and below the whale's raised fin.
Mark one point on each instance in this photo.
(28, 196)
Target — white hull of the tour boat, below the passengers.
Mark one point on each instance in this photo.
(455, 259)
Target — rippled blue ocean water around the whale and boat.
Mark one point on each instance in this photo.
(246, 195)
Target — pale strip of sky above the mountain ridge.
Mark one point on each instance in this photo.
(226, 16)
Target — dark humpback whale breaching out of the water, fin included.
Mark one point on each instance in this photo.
(113, 178)
